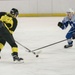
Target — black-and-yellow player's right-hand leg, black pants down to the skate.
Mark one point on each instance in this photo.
(9, 38)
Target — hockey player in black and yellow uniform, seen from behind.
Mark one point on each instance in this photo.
(8, 24)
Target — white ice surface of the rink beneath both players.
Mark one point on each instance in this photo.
(35, 32)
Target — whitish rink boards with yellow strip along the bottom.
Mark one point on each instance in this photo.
(37, 8)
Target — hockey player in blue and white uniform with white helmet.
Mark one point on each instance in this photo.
(68, 20)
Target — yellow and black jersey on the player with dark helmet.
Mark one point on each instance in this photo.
(9, 21)
